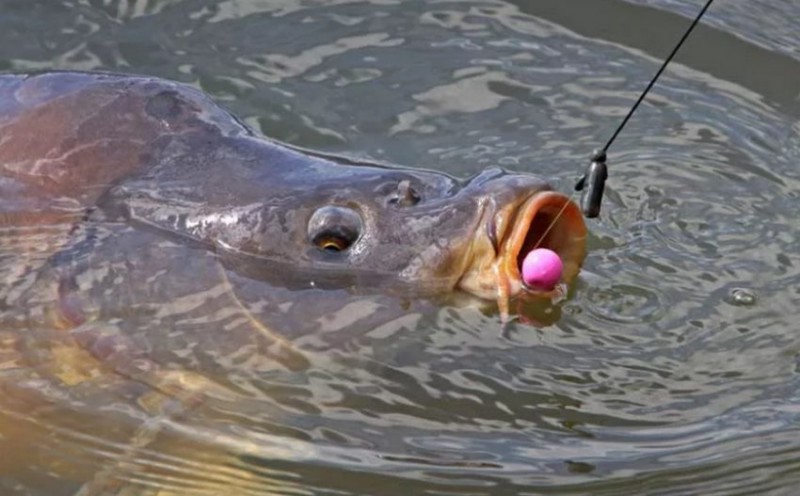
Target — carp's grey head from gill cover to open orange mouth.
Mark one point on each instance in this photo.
(331, 224)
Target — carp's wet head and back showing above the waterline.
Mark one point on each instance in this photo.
(161, 156)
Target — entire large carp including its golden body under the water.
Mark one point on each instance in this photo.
(155, 252)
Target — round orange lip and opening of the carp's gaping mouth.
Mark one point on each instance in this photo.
(545, 219)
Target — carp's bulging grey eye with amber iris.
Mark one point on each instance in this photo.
(334, 228)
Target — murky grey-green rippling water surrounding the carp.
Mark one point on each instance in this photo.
(671, 369)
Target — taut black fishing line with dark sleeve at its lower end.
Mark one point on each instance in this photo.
(597, 172)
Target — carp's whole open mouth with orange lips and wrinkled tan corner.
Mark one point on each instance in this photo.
(545, 219)
